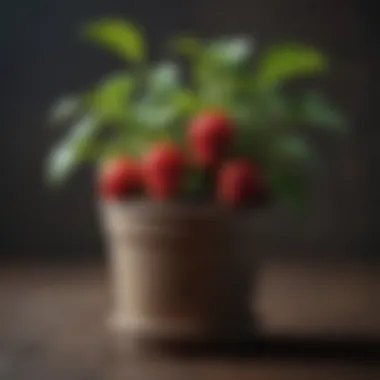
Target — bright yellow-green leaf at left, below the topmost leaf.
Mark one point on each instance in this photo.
(111, 98)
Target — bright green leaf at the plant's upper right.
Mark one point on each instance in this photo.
(288, 61)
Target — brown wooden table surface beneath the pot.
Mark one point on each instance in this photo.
(319, 321)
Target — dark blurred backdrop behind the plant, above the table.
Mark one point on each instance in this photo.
(41, 58)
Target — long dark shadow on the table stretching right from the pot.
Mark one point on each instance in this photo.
(359, 350)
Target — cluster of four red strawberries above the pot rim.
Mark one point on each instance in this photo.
(162, 169)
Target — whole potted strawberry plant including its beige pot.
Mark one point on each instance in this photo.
(179, 160)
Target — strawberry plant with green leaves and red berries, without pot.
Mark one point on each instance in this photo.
(227, 128)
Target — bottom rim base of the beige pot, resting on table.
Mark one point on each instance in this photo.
(146, 336)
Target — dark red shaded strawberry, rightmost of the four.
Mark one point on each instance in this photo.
(238, 181)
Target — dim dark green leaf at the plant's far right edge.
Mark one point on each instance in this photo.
(317, 112)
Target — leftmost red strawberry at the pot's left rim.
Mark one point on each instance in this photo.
(119, 177)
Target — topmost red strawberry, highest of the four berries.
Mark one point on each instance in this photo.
(209, 135)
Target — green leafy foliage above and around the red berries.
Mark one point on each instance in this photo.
(144, 102)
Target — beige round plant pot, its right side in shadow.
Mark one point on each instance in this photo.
(174, 272)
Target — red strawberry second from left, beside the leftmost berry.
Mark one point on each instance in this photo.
(163, 168)
